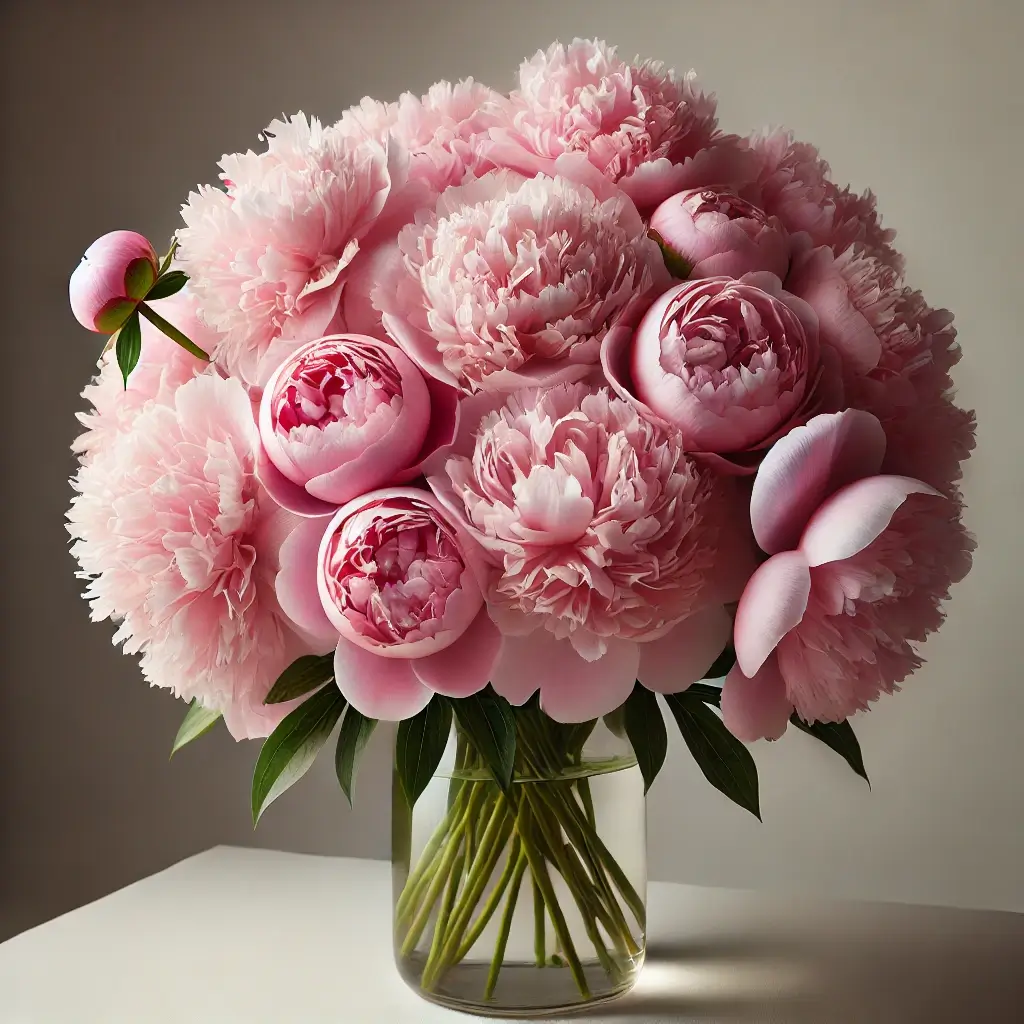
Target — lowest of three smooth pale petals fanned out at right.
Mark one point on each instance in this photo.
(774, 604)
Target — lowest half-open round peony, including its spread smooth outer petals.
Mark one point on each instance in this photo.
(390, 581)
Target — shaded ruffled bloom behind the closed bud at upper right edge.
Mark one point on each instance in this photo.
(793, 184)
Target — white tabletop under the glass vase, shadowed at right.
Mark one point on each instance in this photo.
(239, 936)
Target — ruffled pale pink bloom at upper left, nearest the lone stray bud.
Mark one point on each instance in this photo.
(268, 259)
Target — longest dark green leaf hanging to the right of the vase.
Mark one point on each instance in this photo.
(722, 758)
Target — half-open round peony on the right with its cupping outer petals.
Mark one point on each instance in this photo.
(732, 365)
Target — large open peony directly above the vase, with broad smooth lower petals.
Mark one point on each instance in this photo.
(598, 530)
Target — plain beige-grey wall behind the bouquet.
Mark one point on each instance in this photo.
(112, 111)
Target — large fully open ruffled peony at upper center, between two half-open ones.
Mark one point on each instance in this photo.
(513, 283)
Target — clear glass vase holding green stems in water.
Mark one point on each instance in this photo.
(531, 904)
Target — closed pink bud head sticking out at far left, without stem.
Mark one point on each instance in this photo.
(115, 274)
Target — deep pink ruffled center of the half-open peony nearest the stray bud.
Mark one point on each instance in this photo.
(336, 383)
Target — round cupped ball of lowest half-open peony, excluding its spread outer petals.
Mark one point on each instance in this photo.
(391, 571)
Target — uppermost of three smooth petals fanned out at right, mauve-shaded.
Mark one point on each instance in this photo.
(805, 467)
